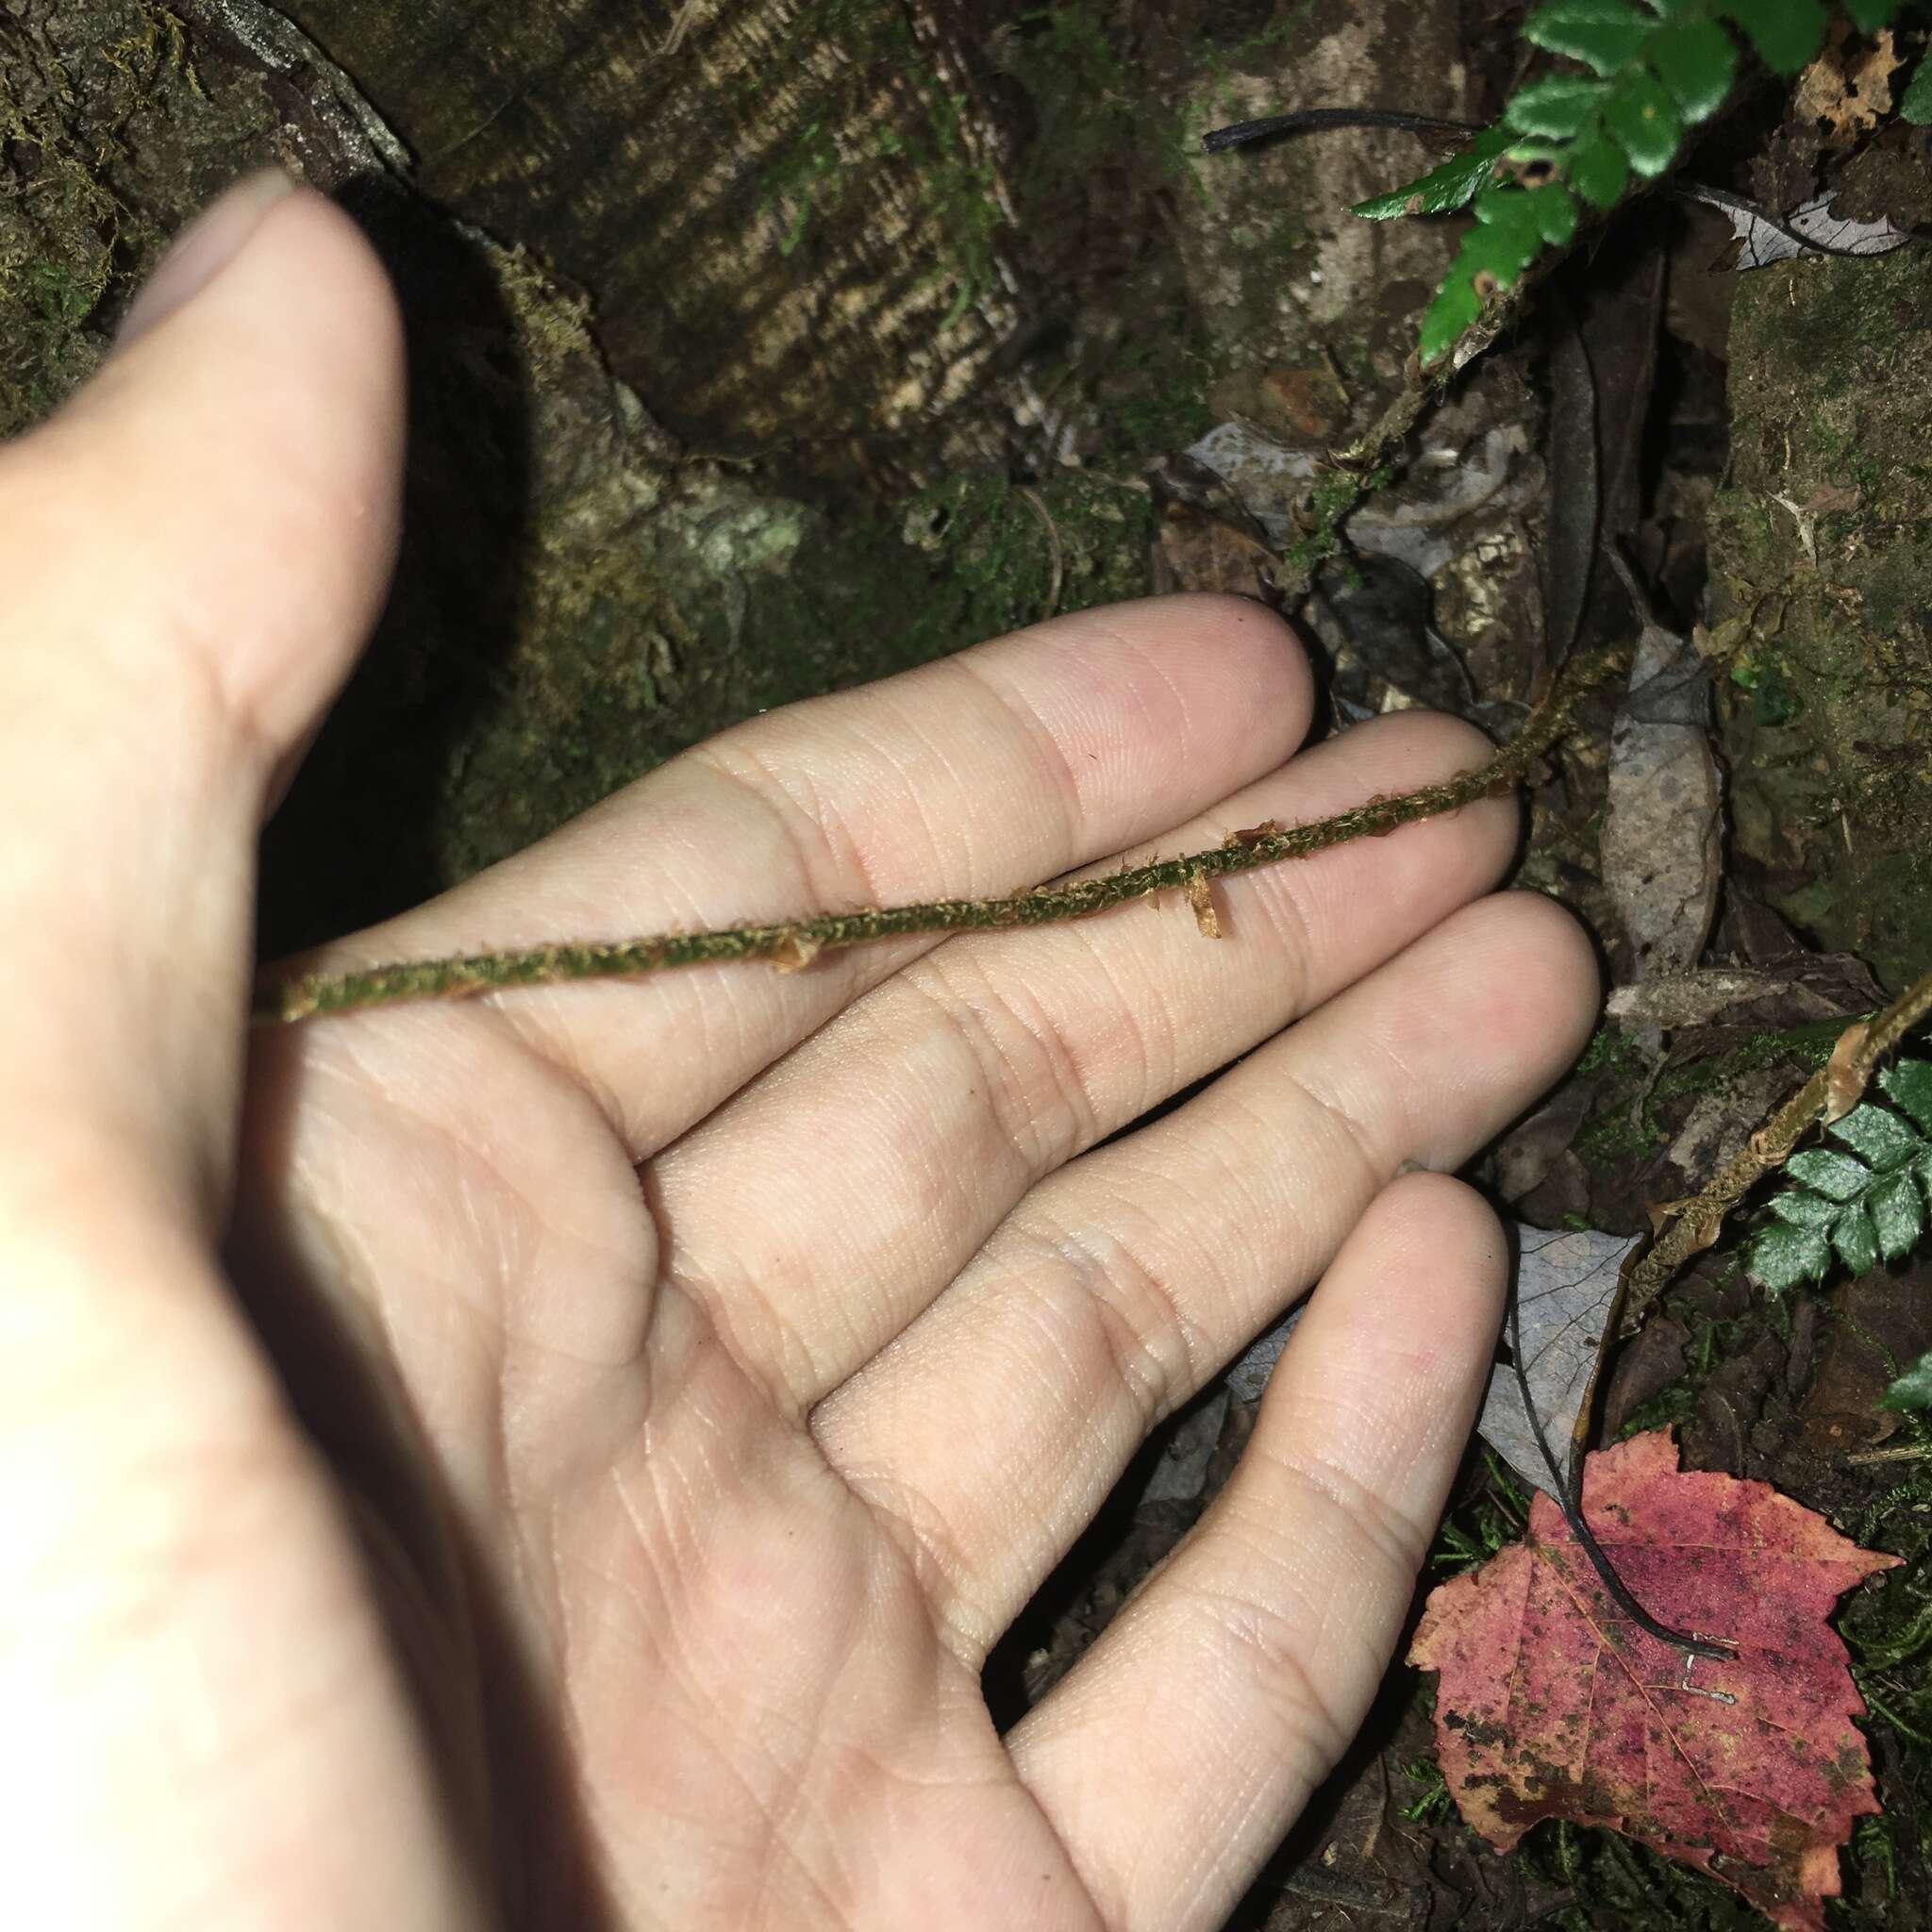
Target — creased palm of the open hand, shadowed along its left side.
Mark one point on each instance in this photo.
(706, 1666)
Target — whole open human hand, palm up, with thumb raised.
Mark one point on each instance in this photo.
(563, 1460)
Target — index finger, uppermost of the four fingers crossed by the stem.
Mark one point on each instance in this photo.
(969, 778)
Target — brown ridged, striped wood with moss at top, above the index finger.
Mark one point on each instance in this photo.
(791, 212)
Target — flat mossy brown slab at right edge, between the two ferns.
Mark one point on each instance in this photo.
(1823, 563)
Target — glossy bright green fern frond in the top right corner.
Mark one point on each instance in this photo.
(1657, 71)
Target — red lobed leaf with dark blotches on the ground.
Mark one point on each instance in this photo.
(1554, 1705)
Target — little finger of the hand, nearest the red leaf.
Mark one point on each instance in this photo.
(1234, 1682)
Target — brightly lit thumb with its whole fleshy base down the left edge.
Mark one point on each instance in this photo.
(192, 1655)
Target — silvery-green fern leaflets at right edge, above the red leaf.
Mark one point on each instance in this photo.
(1856, 1207)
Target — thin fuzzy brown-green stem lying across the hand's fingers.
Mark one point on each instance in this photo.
(795, 944)
